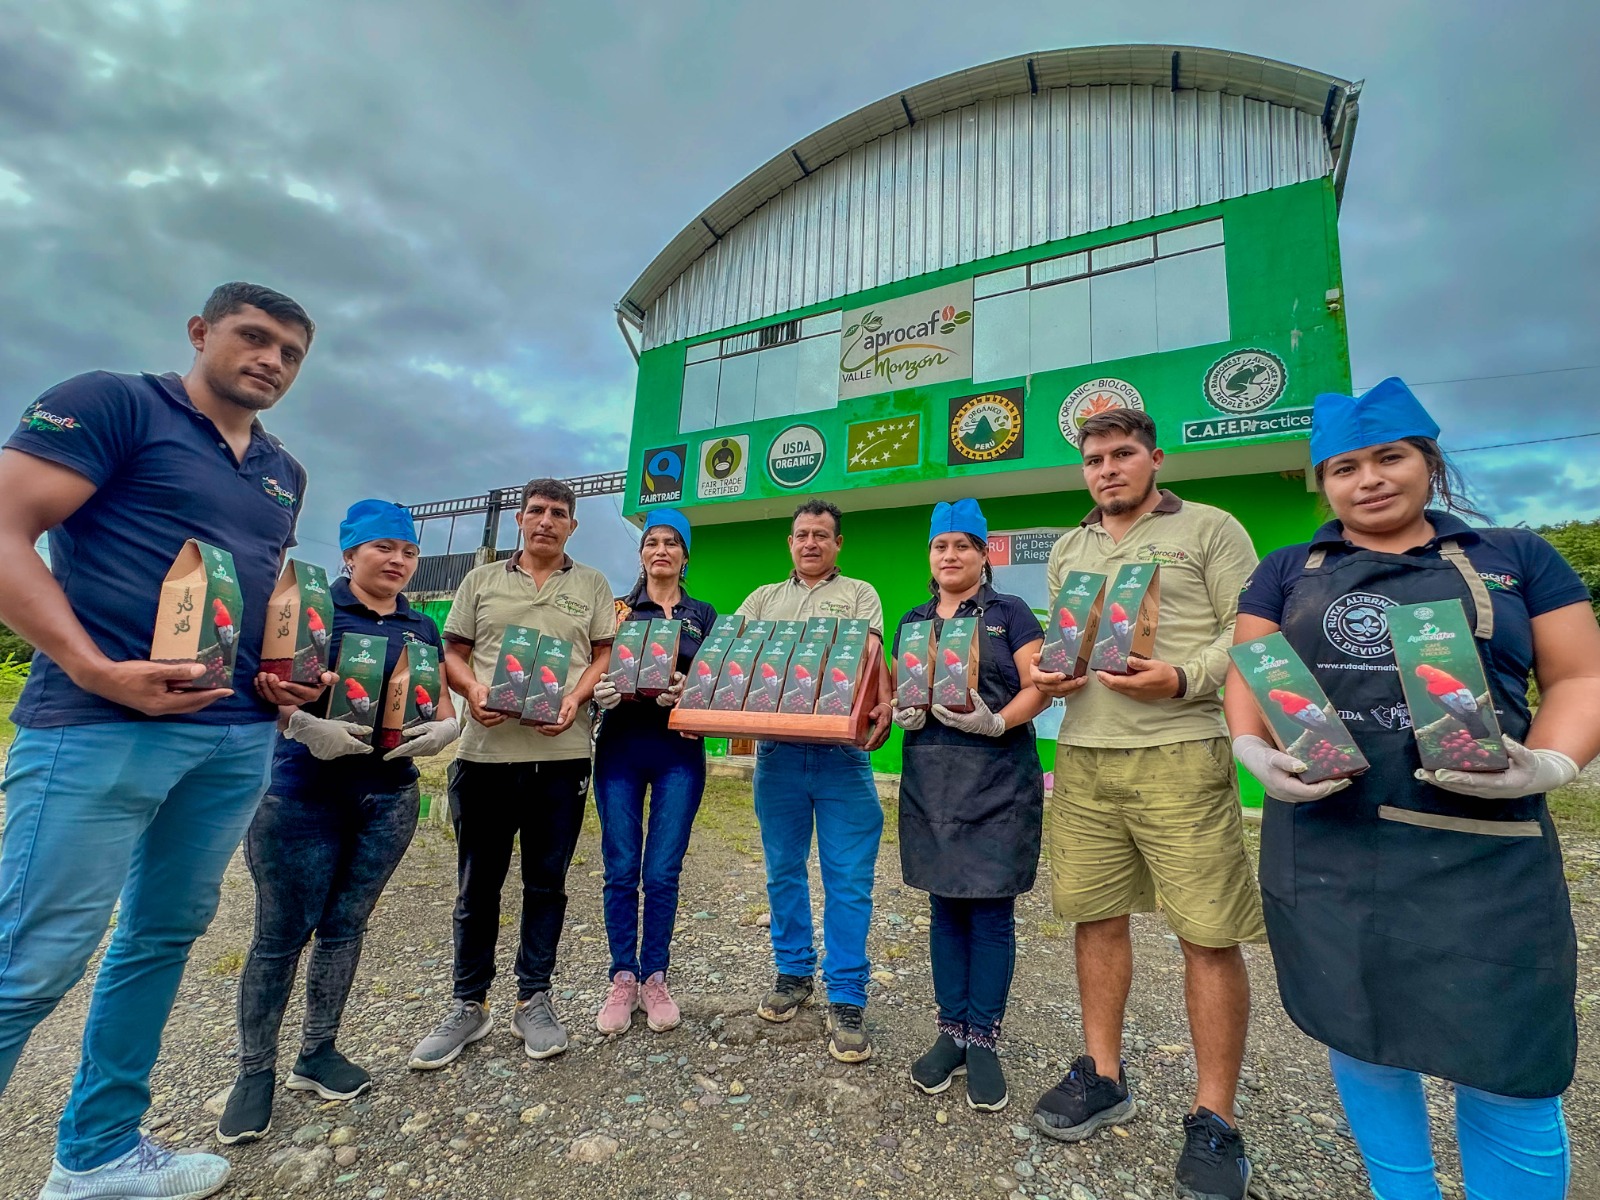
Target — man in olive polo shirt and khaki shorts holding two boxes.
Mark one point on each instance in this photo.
(1146, 802)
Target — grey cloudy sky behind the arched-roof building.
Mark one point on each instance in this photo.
(462, 193)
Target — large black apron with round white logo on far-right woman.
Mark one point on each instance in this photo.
(1414, 927)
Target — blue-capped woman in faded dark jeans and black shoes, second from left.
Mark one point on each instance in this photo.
(329, 836)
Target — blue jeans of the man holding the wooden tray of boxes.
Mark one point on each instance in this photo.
(828, 788)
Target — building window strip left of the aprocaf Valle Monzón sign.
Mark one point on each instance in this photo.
(778, 370)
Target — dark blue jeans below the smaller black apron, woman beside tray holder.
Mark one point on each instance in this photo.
(974, 950)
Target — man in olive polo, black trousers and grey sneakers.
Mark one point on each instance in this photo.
(513, 778)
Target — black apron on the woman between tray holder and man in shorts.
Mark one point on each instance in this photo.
(972, 809)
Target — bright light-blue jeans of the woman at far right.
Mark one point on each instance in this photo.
(1511, 1150)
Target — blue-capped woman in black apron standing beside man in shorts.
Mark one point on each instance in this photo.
(972, 809)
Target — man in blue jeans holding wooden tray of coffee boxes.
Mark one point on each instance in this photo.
(825, 786)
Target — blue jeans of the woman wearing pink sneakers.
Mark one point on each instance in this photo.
(674, 769)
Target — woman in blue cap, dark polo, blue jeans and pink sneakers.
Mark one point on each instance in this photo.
(634, 751)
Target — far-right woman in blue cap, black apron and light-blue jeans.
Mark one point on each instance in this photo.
(1420, 919)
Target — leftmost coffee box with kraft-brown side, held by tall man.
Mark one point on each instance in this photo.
(199, 615)
